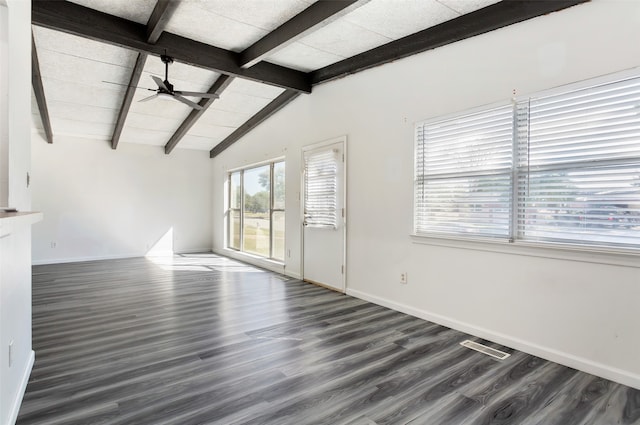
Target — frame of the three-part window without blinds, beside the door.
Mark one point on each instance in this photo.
(241, 211)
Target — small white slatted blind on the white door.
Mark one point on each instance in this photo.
(321, 188)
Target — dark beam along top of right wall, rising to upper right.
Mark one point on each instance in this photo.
(495, 16)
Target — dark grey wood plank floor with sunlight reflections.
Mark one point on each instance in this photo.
(207, 340)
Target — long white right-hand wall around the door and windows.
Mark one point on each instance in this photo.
(576, 308)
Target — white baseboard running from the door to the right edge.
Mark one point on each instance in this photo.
(566, 359)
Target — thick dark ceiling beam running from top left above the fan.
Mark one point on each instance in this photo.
(89, 23)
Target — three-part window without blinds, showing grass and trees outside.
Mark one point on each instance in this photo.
(255, 219)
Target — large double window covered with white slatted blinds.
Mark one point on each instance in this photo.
(555, 168)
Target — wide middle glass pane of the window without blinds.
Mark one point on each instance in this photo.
(256, 233)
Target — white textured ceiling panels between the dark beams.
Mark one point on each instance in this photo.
(84, 80)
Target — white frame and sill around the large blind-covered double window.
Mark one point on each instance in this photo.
(624, 254)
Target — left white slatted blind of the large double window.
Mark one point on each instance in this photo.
(463, 174)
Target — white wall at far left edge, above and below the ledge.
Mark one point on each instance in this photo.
(15, 259)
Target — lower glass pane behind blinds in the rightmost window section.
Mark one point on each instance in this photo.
(597, 205)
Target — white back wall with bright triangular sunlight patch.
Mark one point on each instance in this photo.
(102, 203)
